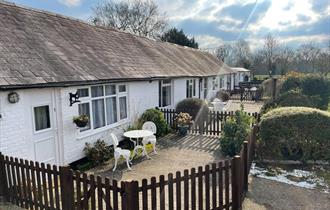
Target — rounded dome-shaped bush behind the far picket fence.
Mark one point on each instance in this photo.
(192, 106)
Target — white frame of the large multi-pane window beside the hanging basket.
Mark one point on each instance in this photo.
(89, 100)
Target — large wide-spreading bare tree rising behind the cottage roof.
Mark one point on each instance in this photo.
(140, 17)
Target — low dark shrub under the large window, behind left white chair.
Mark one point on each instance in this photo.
(98, 153)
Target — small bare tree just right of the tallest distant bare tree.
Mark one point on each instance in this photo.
(285, 57)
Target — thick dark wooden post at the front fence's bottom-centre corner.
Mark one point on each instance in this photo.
(131, 195)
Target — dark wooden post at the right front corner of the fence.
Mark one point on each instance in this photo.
(235, 182)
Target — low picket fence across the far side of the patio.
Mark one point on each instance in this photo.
(210, 123)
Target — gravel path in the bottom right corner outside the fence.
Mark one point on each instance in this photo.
(267, 194)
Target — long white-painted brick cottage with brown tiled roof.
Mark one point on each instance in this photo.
(46, 58)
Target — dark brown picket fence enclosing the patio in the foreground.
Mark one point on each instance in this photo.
(220, 185)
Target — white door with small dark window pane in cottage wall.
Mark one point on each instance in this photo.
(44, 127)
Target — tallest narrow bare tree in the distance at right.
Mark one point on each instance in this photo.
(270, 50)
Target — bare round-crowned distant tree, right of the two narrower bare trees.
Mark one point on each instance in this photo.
(308, 53)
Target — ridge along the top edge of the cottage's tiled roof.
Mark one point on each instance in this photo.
(110, 28)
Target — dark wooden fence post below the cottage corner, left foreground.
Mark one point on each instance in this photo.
(67, 190)
